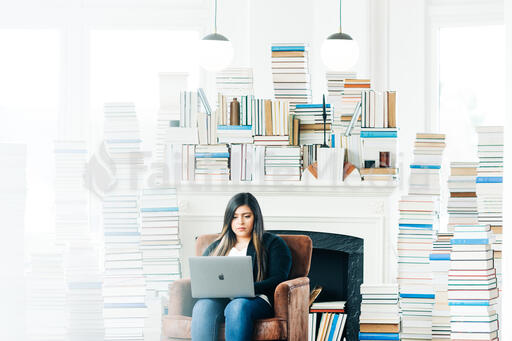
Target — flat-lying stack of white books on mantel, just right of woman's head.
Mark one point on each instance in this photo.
(282, 163)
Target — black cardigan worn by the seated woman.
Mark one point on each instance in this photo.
(279, 263)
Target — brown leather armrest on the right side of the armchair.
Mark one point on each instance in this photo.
(291, 302)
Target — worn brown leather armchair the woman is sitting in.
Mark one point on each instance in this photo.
(291, 299)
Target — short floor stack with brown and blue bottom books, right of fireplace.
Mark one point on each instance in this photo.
(380, 315)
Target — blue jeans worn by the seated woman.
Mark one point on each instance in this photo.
(239, 314)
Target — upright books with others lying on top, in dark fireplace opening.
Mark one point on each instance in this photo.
(327, 321)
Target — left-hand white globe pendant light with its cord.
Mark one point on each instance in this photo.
(215, 50)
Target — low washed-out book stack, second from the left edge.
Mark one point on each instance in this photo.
(47, 308)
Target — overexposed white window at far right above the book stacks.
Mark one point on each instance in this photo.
(472, 85)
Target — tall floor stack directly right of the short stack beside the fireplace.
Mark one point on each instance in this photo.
(418, 219)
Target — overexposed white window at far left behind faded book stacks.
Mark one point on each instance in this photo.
(29, 108)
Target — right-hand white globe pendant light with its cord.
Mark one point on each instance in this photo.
(339, 51)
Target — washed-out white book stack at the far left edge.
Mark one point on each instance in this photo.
(13, 189)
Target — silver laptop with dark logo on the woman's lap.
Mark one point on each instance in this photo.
(214, 277)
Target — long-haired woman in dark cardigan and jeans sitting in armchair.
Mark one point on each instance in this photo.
(243, 234)
